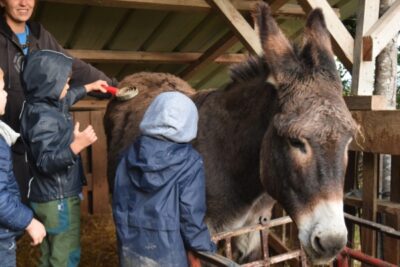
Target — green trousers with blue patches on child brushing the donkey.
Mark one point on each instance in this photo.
(61, 218)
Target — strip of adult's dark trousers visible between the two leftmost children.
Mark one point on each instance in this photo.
(22, 174)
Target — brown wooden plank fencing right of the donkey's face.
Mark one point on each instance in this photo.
(381, 135)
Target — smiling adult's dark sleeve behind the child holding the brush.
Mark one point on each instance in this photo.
(82, 72)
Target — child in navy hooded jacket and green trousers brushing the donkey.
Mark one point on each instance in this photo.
(53, 145)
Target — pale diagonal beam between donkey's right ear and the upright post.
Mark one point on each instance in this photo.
(343, 43)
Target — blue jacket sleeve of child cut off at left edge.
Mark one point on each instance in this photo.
(13, 214)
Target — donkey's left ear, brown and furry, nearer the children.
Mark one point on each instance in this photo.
(279, 53)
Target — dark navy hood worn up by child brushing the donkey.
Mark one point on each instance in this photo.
(44, 76)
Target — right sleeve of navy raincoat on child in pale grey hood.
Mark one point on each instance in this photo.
(192, 209)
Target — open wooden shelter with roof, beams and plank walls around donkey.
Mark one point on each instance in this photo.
(198, 39)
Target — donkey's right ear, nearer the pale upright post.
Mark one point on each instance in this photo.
(317, 48)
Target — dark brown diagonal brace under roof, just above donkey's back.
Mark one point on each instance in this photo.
(212, 53)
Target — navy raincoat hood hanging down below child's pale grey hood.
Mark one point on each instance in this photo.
(152, 163)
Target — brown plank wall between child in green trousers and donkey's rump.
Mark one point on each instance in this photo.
(94, 159)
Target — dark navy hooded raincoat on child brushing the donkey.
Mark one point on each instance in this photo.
(47, 127)
